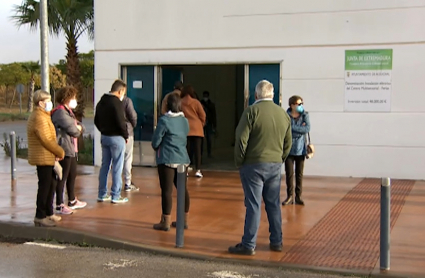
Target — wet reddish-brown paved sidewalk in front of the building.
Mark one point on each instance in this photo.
(338, 228)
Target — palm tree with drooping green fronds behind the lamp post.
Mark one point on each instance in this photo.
(72, 18)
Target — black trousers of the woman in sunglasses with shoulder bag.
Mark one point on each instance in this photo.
(299, 172)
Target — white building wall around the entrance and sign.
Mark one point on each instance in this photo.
(310, 37)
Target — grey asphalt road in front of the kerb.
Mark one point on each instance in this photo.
(45, 260)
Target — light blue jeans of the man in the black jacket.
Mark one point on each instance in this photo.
(113, 149)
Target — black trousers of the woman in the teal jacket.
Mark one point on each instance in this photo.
(168, 177)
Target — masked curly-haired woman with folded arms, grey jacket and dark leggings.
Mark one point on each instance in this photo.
(68, 129)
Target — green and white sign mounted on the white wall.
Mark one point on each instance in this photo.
(368, 80)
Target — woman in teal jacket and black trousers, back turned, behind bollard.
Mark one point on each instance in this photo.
(169, 141)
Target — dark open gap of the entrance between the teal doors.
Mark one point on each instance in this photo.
(225, 84)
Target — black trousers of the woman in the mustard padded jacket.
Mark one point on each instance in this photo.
(46, 191)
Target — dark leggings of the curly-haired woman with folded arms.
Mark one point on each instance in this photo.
(69, 170)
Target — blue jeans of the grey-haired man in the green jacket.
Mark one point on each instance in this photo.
(262, 180)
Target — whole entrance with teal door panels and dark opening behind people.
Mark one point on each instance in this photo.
(231, 88)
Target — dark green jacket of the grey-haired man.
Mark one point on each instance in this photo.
(263, 134)
